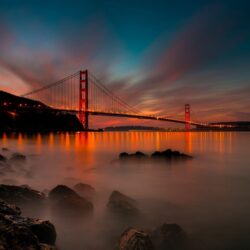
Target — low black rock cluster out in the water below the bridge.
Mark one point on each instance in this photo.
(157, 155)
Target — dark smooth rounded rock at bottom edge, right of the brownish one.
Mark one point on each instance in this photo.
(168, 236)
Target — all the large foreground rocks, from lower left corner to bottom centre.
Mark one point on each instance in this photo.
(17, 232)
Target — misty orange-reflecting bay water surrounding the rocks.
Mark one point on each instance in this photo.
(208, 196)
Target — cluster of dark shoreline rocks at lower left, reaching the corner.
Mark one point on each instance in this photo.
(18, 233)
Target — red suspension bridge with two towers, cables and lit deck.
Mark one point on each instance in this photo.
(82, 94)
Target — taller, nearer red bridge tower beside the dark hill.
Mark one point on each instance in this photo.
(84, 99)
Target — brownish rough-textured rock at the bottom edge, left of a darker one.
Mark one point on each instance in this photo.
(133, 239)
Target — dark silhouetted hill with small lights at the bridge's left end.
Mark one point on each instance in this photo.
(22, 114)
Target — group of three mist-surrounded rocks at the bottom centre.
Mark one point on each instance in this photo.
(164, 237)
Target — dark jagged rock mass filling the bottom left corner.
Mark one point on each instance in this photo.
(17, 232)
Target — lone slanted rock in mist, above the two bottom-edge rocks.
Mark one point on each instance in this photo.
(122, 204)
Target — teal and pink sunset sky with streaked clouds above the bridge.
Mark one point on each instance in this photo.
(156, 55)
